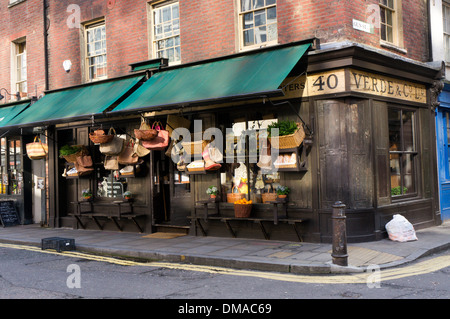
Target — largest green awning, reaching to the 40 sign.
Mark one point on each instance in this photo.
(256, 73)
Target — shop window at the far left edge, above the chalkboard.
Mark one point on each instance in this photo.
(11, 166)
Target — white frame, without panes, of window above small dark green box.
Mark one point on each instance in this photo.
(173, 37)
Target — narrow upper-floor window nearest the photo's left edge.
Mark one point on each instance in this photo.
(19, 76)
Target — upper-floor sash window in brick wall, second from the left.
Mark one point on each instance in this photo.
(95, 51)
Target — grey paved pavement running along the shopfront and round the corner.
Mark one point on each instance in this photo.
(251, 254)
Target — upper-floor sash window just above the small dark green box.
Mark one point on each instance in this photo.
(166, 32)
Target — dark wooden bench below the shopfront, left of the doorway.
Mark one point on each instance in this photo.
(125, 210)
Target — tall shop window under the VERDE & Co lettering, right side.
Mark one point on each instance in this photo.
(402, 152)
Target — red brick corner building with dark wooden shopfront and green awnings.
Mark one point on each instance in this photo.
(355, 75)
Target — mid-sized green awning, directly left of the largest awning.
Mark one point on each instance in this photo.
(75, 103)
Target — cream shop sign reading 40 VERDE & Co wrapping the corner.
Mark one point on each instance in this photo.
(350, 80)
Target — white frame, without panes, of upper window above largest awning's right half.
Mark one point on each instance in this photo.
(242, 12)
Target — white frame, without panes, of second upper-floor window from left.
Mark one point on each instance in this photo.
(103, 53)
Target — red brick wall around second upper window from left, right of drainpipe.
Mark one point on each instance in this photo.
(126, 37)
